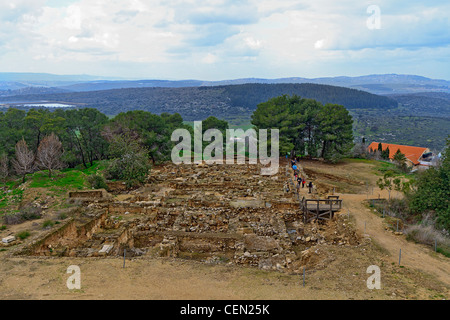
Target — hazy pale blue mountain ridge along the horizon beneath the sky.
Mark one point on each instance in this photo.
(377, 83)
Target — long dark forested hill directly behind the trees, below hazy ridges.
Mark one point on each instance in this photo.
(197, 103)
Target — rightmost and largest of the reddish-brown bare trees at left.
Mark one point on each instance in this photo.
(49, 153)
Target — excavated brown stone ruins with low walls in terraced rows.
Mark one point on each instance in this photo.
(216, 214)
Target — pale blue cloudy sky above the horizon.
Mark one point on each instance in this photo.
(225, 39)
